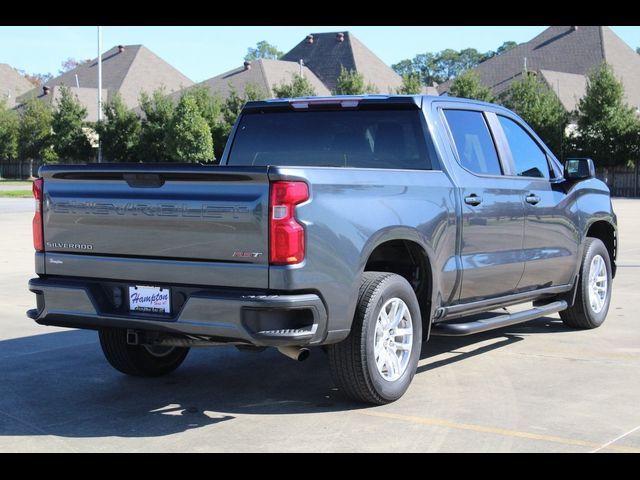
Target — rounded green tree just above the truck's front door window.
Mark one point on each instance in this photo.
(539, 106)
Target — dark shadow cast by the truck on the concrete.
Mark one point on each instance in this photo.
(59, 384)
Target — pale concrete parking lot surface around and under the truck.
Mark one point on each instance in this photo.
(532, 387)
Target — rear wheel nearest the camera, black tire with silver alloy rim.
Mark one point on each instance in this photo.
(377, 361)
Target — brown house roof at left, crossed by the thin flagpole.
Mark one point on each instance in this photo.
(128, 72)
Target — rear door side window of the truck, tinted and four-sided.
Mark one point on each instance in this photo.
(474, 143)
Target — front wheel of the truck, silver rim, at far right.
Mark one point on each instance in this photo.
(594, 288)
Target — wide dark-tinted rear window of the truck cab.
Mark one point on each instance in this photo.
(351, 138)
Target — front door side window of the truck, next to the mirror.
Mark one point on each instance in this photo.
(528, 157)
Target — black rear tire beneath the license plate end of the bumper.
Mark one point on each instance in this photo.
(139, 360)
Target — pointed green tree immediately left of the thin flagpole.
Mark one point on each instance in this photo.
(69, 140)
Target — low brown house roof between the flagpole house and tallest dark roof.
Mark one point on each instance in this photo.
(263, 74)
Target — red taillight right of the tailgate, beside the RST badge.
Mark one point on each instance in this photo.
(287, 235)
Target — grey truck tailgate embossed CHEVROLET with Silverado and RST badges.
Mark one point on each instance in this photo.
(188, 213)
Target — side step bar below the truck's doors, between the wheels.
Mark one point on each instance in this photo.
(460, 329)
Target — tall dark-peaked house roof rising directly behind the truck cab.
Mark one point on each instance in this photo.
(326, 54)
